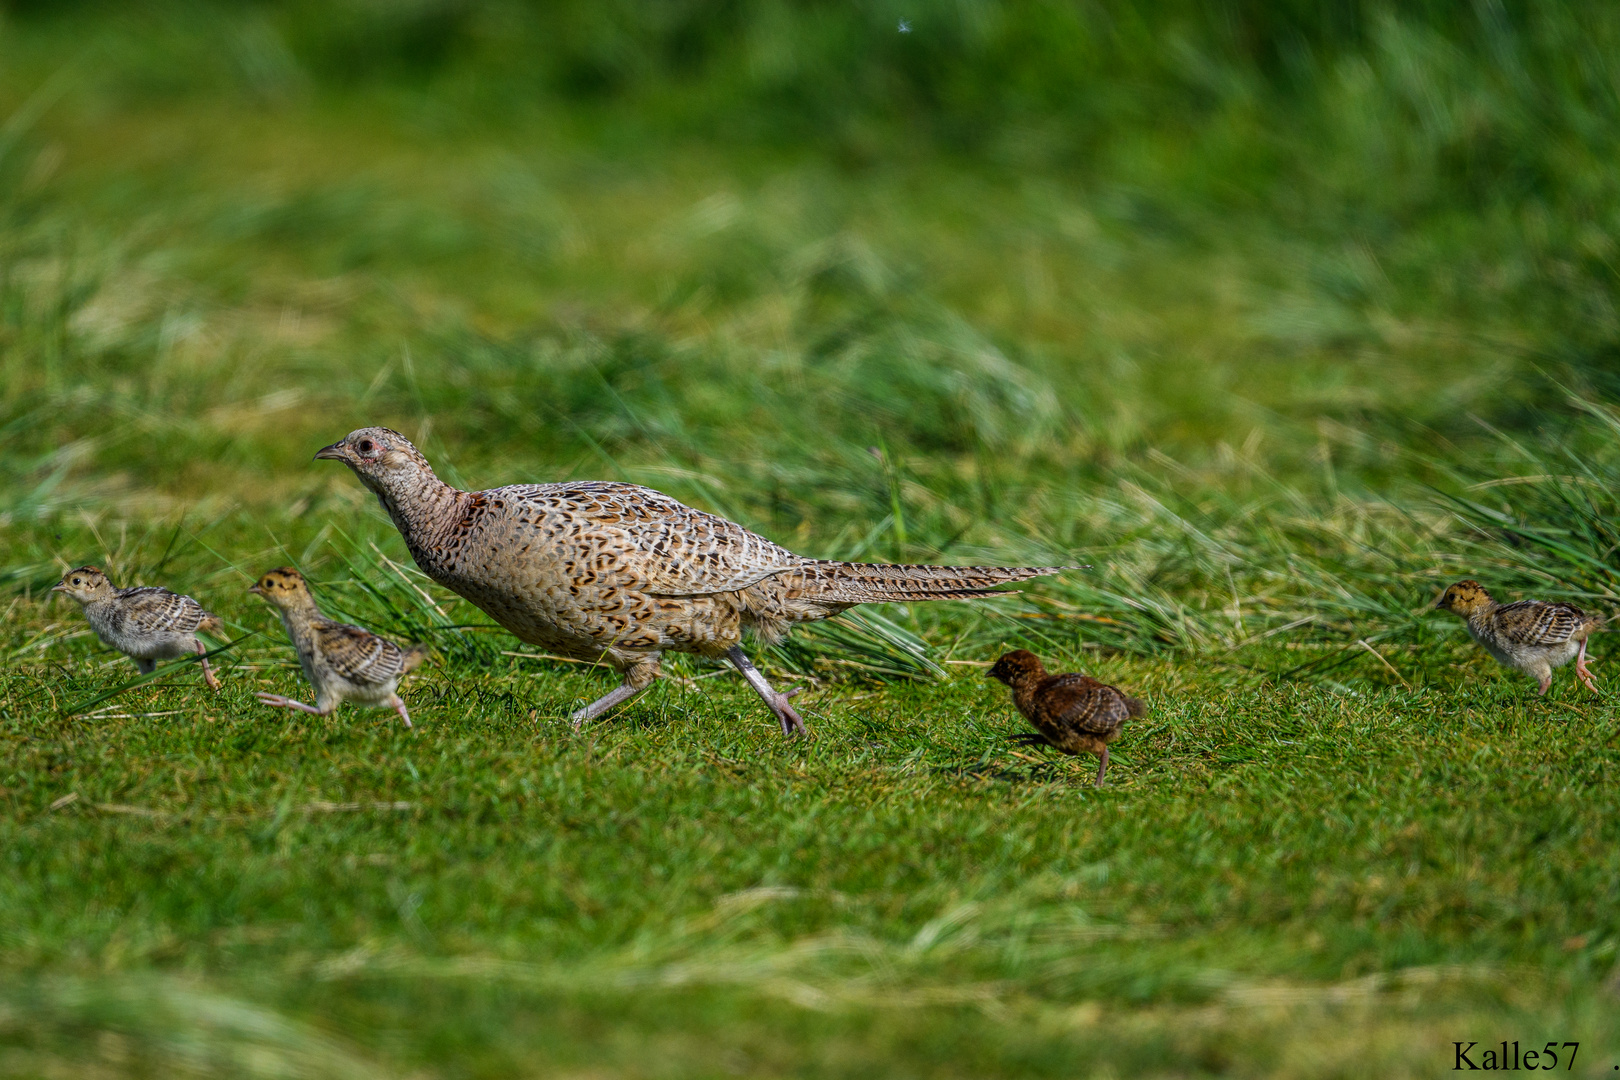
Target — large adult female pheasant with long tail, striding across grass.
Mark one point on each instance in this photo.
(621, 574)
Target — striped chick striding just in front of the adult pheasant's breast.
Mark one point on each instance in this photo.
(341, 661)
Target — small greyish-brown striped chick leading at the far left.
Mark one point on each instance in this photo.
(147, 624)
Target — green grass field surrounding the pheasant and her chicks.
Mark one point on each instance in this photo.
(1277, 336)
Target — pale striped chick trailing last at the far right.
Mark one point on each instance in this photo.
(1532, 637)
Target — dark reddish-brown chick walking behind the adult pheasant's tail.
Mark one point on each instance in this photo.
(1073, 713)
